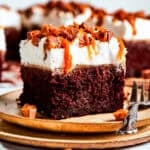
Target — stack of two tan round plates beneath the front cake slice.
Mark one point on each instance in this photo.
(89, 131)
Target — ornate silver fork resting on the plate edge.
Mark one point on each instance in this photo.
(129, 123)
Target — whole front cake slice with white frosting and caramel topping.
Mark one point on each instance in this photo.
(60, 83)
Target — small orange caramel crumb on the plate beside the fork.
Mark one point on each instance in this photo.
(120, 114)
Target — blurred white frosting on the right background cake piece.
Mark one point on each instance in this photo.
(124, 29)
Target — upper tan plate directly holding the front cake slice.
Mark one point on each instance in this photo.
(10, 112)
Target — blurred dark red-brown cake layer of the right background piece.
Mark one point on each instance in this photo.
(138, 57)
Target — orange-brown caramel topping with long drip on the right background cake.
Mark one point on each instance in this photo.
(130, 17)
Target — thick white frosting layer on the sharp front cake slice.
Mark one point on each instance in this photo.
(106, 54)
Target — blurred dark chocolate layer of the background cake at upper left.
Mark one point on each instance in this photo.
(13, 37)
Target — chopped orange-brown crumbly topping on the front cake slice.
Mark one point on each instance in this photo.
(69, 33)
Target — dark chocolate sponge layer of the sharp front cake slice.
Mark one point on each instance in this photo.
(85, 90)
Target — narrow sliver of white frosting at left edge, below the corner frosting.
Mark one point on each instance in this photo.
(2, 40)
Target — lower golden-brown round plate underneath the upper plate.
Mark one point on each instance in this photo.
(17, 134)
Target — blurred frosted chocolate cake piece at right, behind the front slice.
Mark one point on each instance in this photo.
(133, 28)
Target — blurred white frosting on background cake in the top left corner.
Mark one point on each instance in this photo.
(10, 18)
